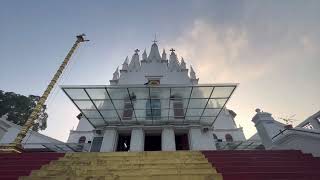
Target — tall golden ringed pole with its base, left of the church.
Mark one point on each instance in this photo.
(15, 146)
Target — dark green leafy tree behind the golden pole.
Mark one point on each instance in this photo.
(18, 108)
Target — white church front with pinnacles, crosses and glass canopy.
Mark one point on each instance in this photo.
(153, 103)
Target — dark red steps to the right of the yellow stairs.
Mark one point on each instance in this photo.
(265, 164)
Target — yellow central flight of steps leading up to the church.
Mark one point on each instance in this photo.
(184, 165)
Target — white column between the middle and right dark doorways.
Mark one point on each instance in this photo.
(168, 142)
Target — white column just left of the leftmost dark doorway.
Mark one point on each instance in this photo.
(110, 139)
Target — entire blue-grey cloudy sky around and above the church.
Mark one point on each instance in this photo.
(271, 48)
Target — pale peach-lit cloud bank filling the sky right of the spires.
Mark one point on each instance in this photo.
(268, 66)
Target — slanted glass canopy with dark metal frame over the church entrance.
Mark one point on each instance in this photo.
(150, 105)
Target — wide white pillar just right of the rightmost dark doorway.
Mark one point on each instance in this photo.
(201, 140)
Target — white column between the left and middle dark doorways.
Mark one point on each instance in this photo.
(137, 140)
